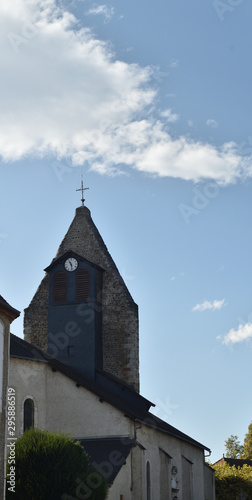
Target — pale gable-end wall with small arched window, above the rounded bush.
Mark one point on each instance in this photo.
(61, 406)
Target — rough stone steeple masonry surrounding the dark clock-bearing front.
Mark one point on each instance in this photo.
(119, 312)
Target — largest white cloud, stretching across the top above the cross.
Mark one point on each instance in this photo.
(63, 93)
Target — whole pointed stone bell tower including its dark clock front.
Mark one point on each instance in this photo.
(82, 312)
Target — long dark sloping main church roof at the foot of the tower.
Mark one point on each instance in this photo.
(22, 349)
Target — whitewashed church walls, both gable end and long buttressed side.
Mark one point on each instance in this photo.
(61, 406)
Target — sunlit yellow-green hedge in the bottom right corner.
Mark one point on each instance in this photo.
(231, 481)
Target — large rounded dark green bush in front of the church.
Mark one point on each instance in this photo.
(51, 466)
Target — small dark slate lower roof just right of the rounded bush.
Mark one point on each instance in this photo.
(107, 455)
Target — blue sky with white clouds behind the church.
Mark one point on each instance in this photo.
(152, 104)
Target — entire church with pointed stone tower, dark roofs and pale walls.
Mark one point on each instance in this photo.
(77, 372)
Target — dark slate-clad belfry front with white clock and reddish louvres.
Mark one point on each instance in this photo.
(75, 313)
